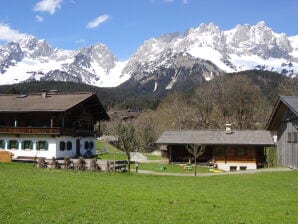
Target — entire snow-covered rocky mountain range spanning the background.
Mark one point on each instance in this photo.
(160, 63)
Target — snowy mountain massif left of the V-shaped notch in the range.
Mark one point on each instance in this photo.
(32, 59)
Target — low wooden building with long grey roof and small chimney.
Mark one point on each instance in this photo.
(229, 150)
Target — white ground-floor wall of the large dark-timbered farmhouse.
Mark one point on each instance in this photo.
(53, 146)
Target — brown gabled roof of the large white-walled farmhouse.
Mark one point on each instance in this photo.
(55, 102)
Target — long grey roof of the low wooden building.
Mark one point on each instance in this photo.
(217, 137)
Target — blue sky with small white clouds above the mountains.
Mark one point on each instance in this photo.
(123, 25)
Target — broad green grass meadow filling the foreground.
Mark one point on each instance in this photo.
(32, 195)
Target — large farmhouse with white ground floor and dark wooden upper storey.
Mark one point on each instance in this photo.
(50, 124)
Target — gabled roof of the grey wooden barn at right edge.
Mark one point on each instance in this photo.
(283, 102)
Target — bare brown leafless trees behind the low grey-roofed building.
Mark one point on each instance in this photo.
(243, 100)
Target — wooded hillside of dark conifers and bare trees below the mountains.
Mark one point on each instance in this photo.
(243, 99)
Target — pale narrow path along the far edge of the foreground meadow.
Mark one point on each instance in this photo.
(278, 169)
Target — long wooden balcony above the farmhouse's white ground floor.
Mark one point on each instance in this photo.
(46, 131)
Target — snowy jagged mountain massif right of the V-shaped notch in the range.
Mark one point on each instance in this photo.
(243, 48)
